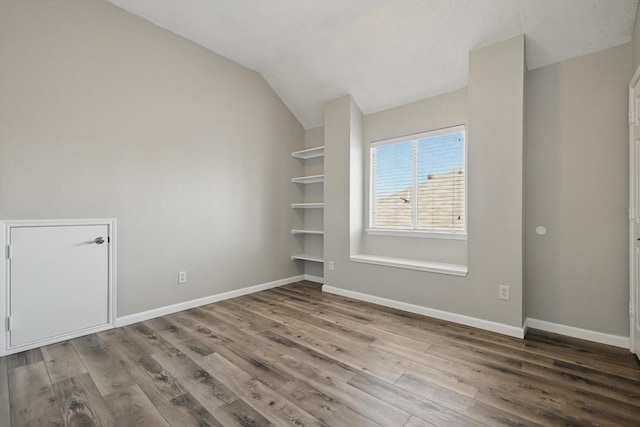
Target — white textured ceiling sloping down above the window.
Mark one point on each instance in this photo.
(383, 52)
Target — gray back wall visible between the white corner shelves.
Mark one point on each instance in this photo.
(313, 219)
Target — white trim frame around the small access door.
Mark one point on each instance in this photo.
(5, 271)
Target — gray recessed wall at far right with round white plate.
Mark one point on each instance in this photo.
(577, 187)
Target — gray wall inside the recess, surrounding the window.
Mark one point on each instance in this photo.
(438, 112)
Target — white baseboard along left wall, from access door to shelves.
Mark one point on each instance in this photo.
(174, 308)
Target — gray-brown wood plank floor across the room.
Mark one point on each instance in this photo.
(297, 356)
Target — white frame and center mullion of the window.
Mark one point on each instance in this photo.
(433, 234)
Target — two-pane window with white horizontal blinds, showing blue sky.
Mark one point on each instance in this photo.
(418, 183)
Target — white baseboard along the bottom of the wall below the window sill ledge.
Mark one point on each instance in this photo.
(488, 325)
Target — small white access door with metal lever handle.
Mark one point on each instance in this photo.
(58, 282)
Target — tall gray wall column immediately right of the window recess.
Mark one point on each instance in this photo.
(495, 158)
